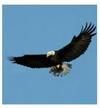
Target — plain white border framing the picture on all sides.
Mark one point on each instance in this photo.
(53, 2)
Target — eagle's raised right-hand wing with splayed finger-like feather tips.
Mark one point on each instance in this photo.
(78, 45)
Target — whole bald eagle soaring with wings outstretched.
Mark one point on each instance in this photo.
(56, 59)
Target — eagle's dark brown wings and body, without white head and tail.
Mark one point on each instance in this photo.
(74, 49)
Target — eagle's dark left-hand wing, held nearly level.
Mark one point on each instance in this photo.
(33, 61)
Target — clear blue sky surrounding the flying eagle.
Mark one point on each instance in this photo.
(37, 29)
